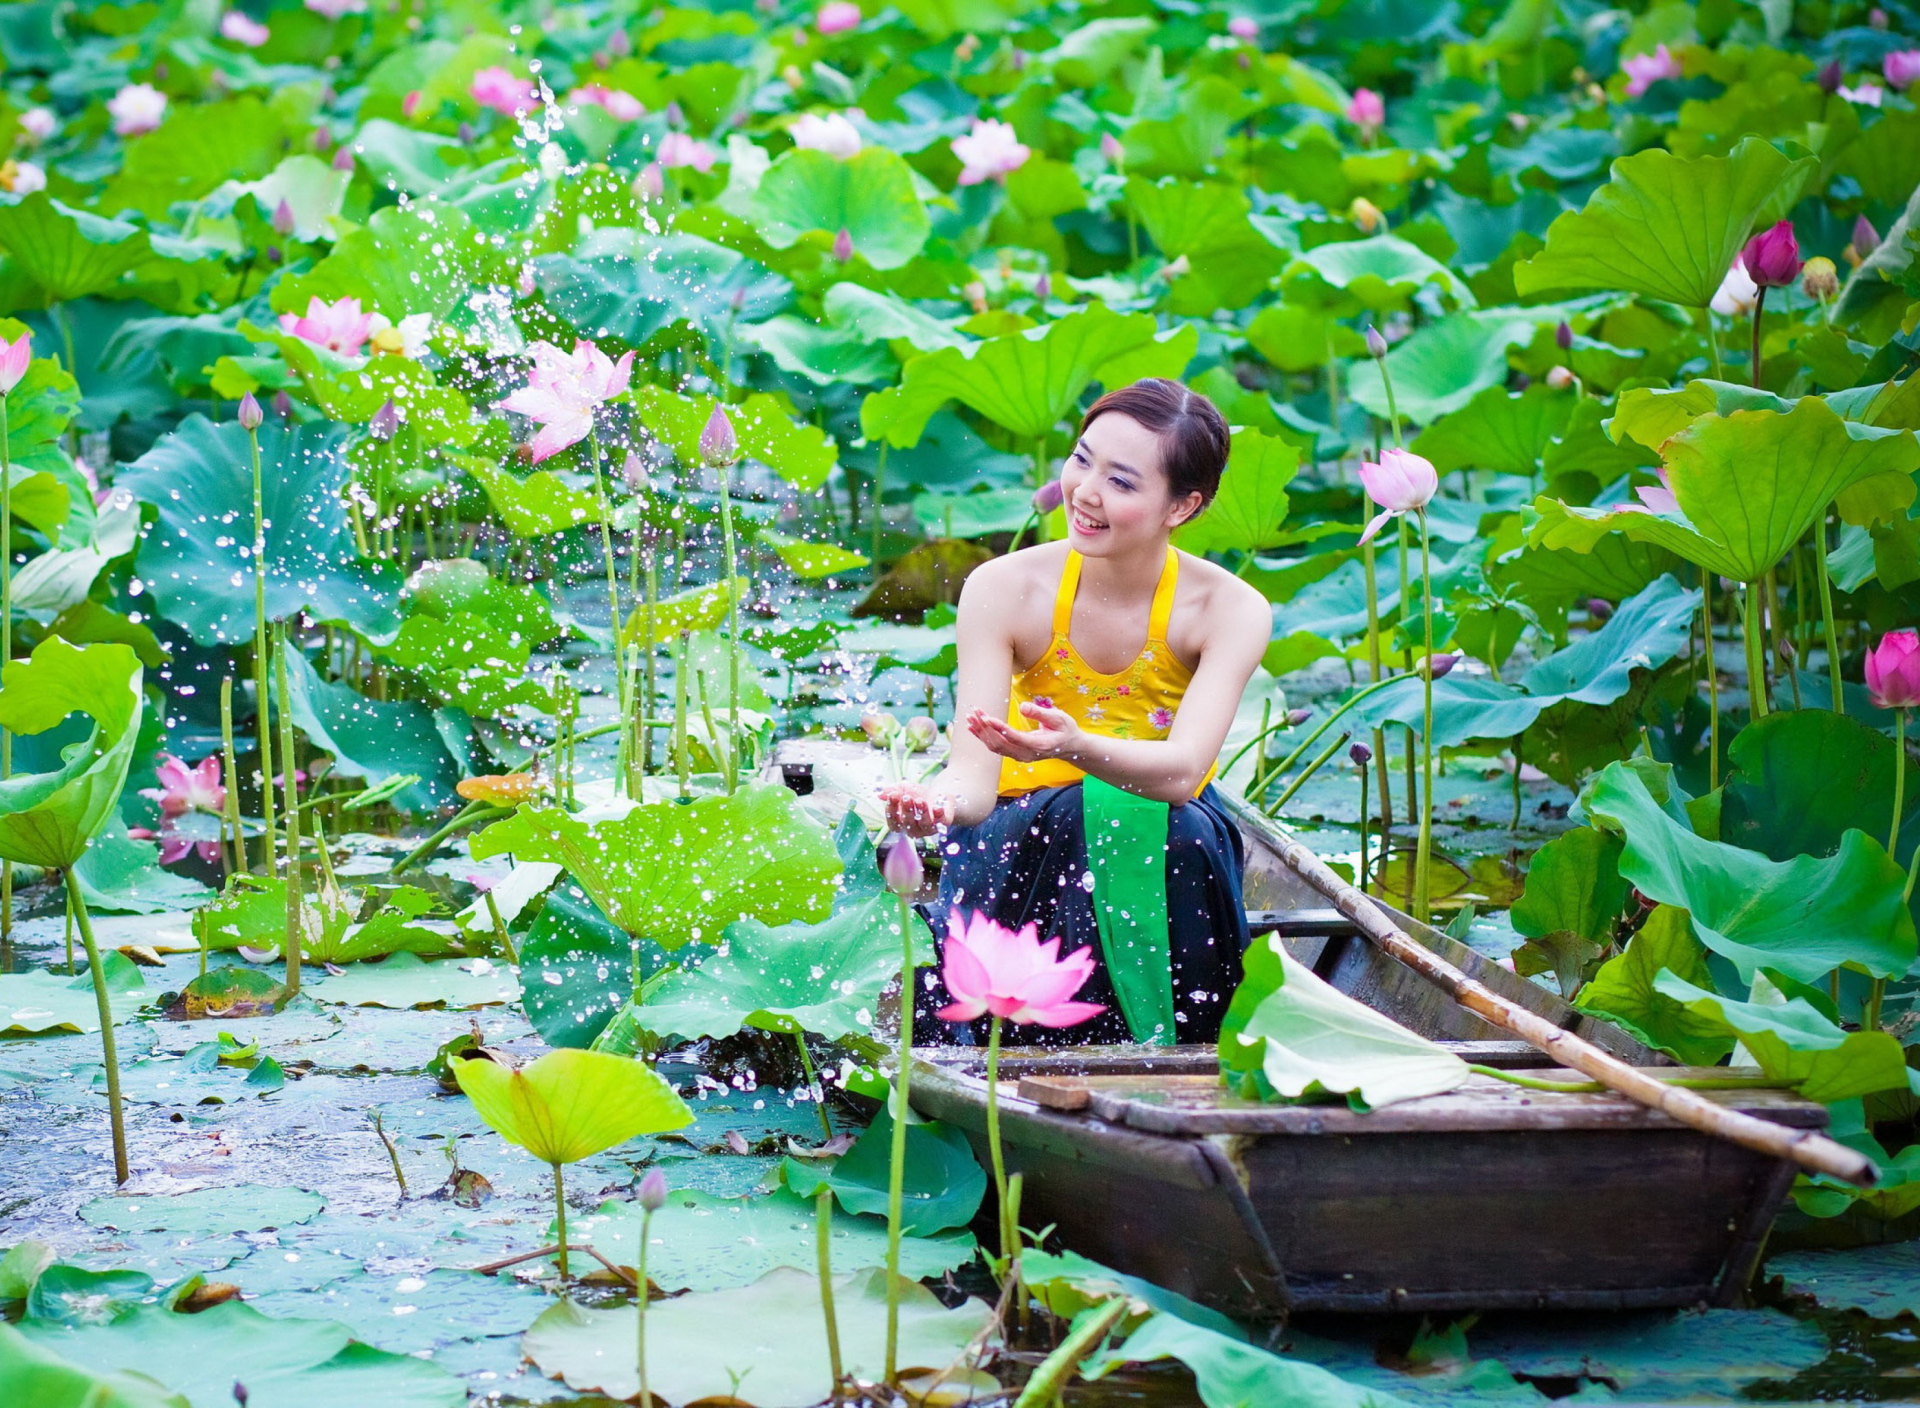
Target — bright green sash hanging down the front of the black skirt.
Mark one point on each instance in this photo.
(1128, 858)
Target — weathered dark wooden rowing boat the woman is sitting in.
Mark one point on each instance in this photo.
(1485, 1198)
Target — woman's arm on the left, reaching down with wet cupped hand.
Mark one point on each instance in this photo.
(963, 792)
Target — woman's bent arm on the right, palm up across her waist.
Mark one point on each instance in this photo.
(1161, 769)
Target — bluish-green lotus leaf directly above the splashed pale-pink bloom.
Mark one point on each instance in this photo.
(627, 287)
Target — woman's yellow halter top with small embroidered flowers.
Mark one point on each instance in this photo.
(1140, 702)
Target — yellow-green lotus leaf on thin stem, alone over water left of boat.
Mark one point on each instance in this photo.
(573, 1104)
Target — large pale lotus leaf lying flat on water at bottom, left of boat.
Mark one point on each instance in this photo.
(765, 1342)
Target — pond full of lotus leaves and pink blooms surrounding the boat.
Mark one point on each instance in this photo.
(454, 456)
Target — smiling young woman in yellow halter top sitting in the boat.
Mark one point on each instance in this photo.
(1097, 685)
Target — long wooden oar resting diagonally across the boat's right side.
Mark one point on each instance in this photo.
(1806, 1148)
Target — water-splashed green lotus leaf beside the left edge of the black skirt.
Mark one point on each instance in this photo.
(821, 979)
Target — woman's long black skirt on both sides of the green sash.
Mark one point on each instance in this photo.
(1026, 863)
